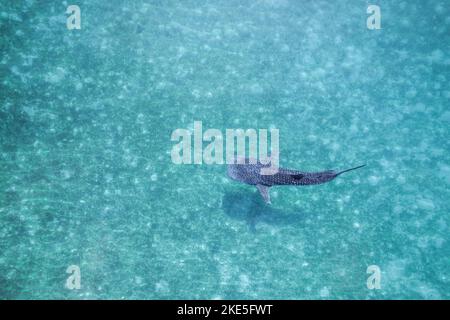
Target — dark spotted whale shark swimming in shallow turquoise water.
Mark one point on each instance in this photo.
(248, 171)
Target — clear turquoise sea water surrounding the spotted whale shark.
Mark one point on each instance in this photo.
(86, 176)
